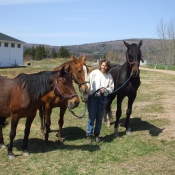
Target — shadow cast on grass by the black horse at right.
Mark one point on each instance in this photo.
(136, 124)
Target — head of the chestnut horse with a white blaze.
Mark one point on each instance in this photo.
(80, 73)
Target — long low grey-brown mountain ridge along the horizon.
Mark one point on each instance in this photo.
(101, 48)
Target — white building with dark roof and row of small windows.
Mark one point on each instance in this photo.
(11, 51)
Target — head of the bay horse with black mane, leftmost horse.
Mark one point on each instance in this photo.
(65, 89)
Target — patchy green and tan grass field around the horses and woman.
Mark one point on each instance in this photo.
(148, 150)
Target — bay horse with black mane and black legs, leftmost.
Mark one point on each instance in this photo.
(21, 97)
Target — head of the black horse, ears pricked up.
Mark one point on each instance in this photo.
(133, 56)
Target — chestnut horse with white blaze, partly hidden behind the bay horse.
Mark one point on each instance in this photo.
(51, 101)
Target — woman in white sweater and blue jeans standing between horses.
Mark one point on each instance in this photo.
(100, 84)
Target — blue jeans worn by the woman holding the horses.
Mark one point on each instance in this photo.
(96, 109)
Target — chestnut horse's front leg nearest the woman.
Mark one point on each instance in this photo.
(61, 122)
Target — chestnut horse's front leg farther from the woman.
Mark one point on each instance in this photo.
(48, 112)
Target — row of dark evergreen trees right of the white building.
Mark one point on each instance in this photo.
(41, 52)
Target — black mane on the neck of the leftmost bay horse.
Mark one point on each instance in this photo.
(37, 84)
